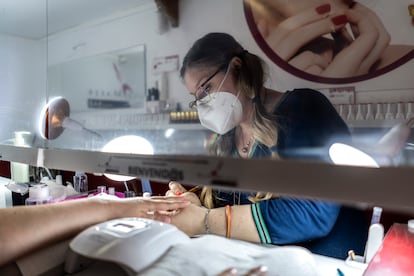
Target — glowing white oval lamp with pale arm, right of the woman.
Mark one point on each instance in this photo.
(381, 153)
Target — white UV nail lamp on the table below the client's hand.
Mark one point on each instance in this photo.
(132, 243)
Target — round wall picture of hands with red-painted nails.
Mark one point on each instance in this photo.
(319, 37)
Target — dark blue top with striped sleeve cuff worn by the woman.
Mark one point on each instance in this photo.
(308, 124)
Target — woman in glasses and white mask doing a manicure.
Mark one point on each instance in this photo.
(252, 121)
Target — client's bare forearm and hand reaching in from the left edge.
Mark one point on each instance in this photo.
(27, 228)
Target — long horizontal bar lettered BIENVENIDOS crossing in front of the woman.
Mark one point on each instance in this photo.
(344, 184)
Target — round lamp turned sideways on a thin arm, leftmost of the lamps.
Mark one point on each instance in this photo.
(54, 118)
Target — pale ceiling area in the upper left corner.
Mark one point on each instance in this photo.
(34, 18)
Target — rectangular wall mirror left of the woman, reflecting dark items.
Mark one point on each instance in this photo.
(106, 81)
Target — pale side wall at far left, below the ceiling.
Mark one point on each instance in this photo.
(22, 83)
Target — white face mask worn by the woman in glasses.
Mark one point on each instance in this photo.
(222, 113)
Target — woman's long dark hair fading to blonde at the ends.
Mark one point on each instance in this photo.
(213, 50)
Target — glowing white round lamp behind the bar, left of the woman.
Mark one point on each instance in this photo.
(129, 144)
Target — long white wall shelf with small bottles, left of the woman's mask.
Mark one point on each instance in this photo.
(131, 119)
